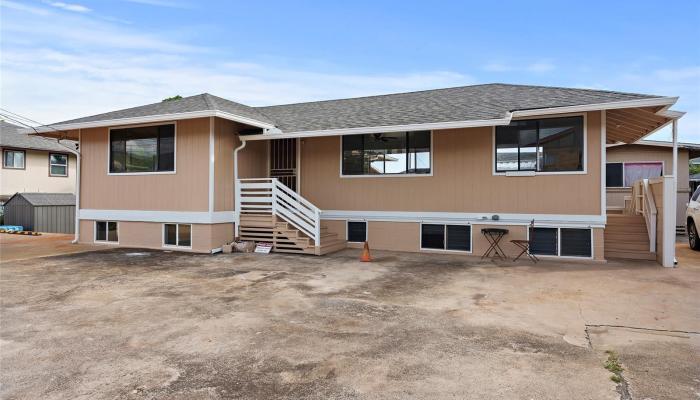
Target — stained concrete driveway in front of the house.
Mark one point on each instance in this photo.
(155, 325)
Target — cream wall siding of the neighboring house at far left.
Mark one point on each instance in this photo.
(35, 176)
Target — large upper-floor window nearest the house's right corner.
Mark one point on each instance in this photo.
(545, 145)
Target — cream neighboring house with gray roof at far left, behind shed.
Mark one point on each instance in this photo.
(34, 164)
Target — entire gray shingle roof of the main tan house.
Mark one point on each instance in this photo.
(465, 103)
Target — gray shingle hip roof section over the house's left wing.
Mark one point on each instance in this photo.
(200, 102)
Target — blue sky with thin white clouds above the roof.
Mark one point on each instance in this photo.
(68, 59)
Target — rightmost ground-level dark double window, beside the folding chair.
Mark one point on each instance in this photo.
(566, 242)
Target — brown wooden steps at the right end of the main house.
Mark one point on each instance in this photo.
(626, 237)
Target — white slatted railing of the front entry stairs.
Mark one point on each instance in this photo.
(269, 195)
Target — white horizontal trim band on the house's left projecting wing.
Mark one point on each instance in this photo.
(183, 217)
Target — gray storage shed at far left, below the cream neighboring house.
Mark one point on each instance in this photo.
(42, 212)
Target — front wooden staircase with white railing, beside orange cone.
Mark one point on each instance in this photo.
(271, 212)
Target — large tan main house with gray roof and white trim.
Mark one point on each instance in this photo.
(421, 171)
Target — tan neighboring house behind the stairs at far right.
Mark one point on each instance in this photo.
(627, 163)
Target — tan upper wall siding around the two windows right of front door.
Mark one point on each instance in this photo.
(462, 180)
